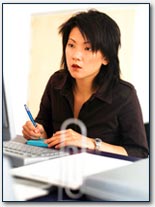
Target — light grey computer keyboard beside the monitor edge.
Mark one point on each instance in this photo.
(23, 154)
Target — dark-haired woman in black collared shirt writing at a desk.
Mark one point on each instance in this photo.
(89, 88)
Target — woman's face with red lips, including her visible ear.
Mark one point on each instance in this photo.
(82, 62)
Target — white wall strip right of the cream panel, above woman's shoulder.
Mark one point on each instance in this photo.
(140, 69)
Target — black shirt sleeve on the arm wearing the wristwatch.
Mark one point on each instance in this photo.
(133, 133)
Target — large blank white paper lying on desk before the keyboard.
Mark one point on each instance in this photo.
(68, 171)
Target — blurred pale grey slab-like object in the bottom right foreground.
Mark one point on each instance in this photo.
(126, 183)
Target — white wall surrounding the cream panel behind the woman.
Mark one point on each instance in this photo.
(16, 54)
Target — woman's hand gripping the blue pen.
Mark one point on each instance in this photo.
(31, 132)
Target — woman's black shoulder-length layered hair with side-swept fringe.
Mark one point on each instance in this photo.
(103, 34)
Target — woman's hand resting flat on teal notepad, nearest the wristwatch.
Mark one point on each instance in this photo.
(69, 138)
